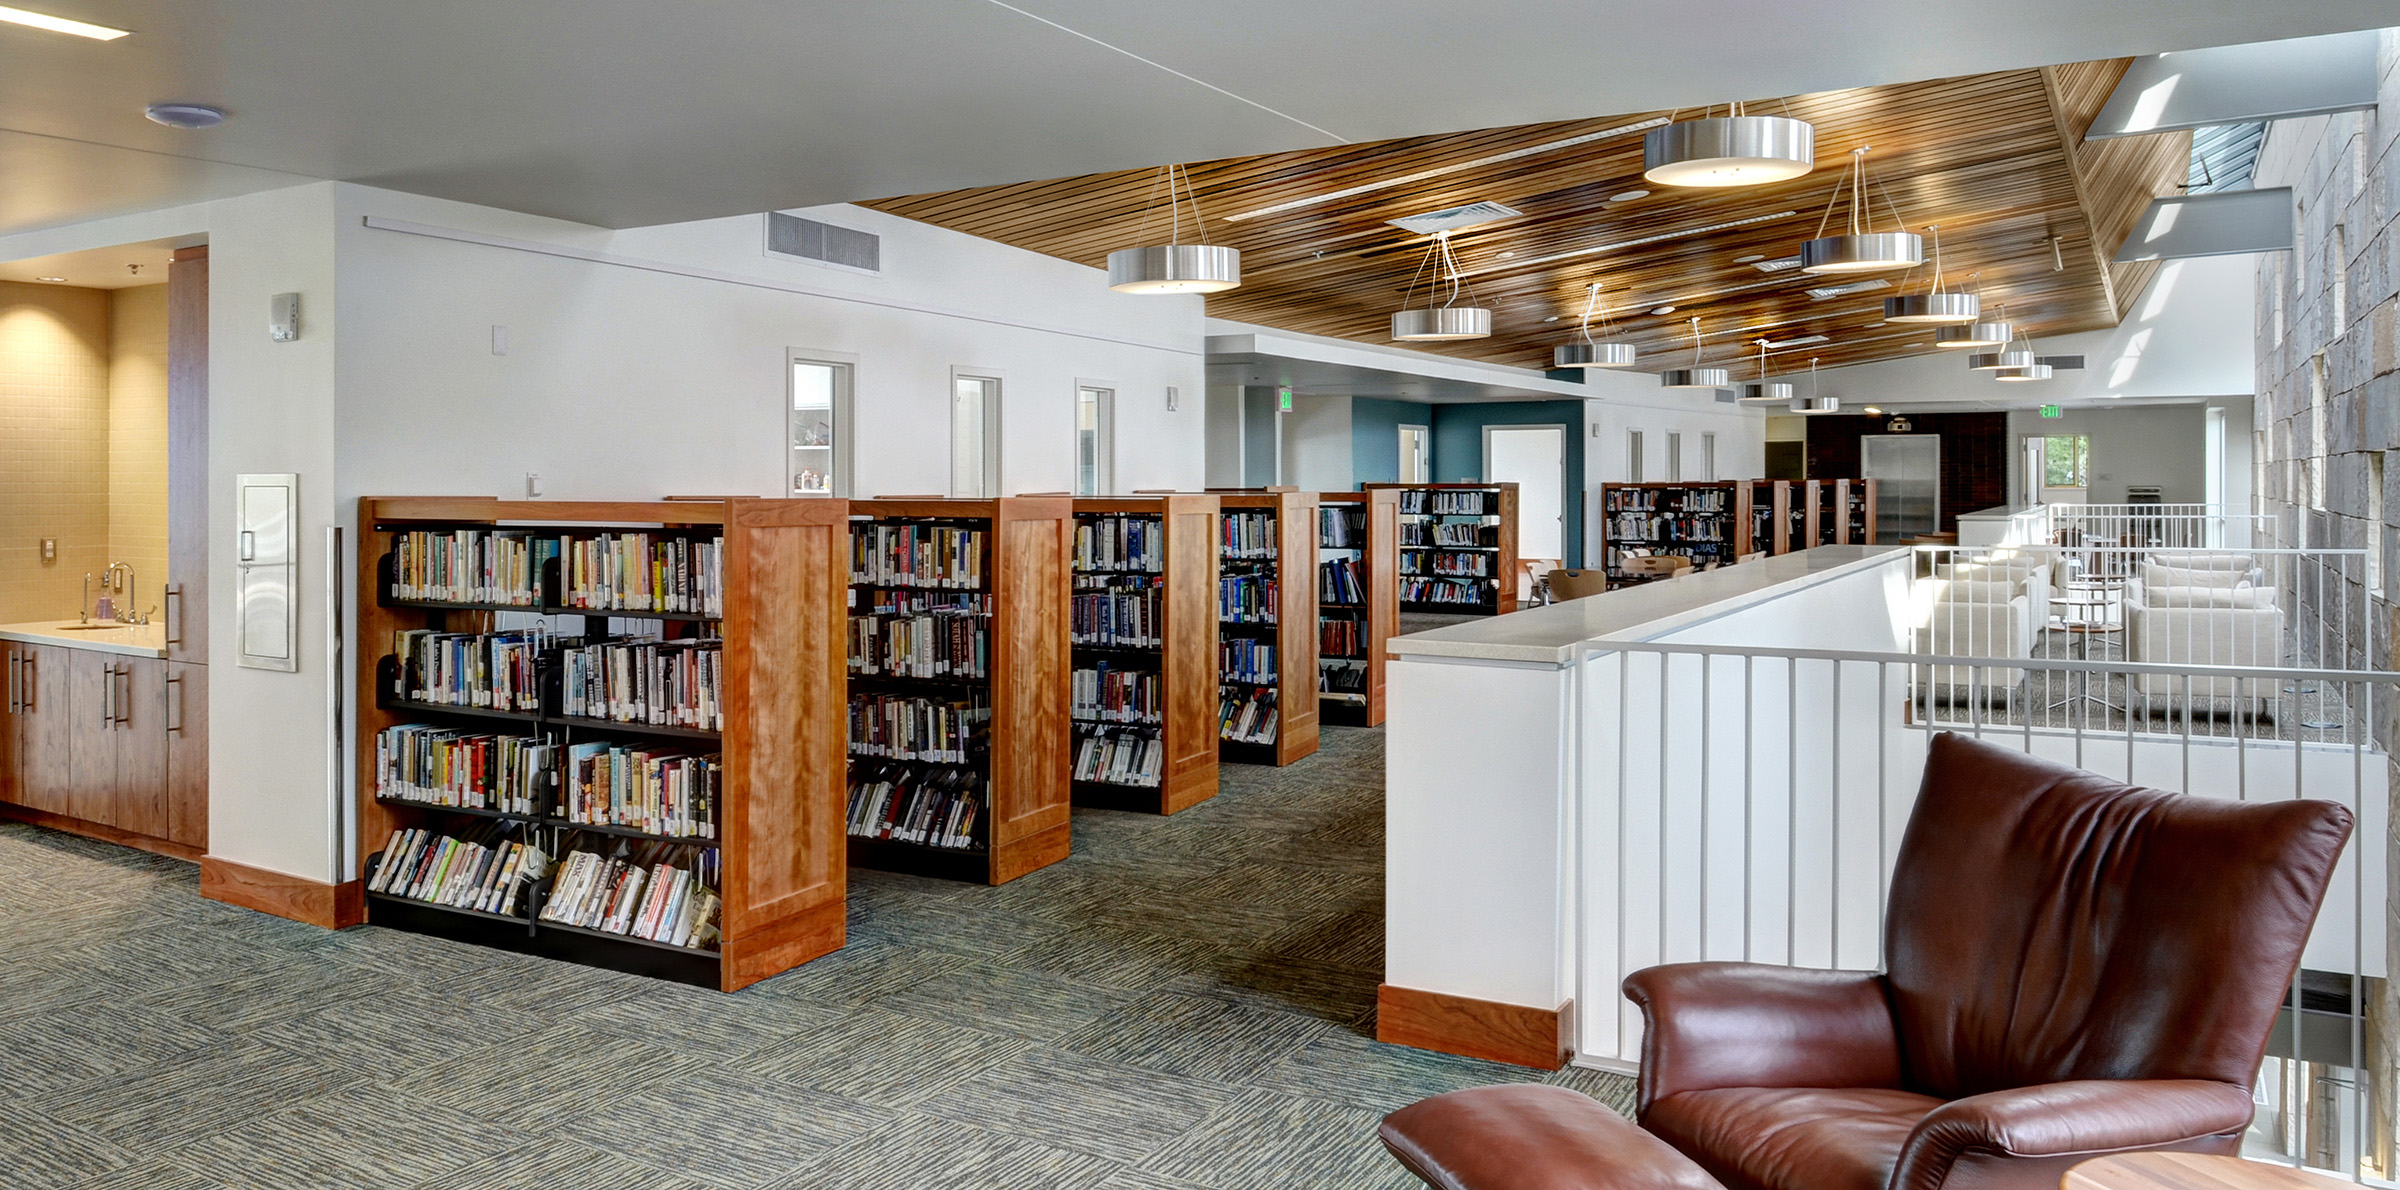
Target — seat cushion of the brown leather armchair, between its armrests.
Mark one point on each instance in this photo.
(1777, 1138)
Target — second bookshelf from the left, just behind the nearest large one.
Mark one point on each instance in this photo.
(959, 685)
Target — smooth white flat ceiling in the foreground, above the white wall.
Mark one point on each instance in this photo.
(644, 112)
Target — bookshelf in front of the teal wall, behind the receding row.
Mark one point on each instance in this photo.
(1458, 548)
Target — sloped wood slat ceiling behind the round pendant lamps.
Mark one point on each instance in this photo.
(1996, 160)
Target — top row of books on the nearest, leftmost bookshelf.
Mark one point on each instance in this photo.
(613, 572)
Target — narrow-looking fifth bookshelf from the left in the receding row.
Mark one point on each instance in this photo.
(1357, 601)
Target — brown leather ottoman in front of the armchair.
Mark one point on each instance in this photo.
(1532, 1138)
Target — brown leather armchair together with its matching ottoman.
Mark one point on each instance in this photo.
(2075, 968)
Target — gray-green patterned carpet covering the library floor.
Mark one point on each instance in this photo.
(1184, 1004)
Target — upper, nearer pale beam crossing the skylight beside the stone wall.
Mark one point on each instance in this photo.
(2228, 85)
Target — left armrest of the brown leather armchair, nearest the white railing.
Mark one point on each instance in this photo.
(1756, 1026)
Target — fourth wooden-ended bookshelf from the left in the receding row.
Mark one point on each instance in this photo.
(1266, 627)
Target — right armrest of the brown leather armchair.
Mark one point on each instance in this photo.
(2070, 1119)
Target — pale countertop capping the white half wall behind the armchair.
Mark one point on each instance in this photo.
(1643, 613)
